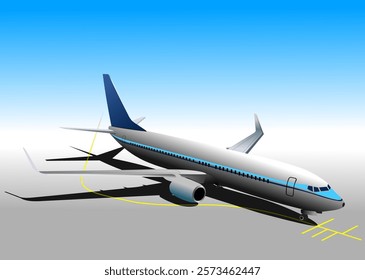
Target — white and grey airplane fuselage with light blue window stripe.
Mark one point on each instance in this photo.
(255, 175)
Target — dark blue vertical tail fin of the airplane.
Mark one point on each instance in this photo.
(118, 115)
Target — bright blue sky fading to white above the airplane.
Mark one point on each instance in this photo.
(295, 61)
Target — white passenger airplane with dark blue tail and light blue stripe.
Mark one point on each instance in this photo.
(188, 167)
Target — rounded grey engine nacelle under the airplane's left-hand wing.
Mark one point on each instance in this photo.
(187, 190)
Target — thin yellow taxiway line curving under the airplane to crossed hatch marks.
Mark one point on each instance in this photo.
(324, 229)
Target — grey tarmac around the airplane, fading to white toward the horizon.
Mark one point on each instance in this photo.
(112, 229)
